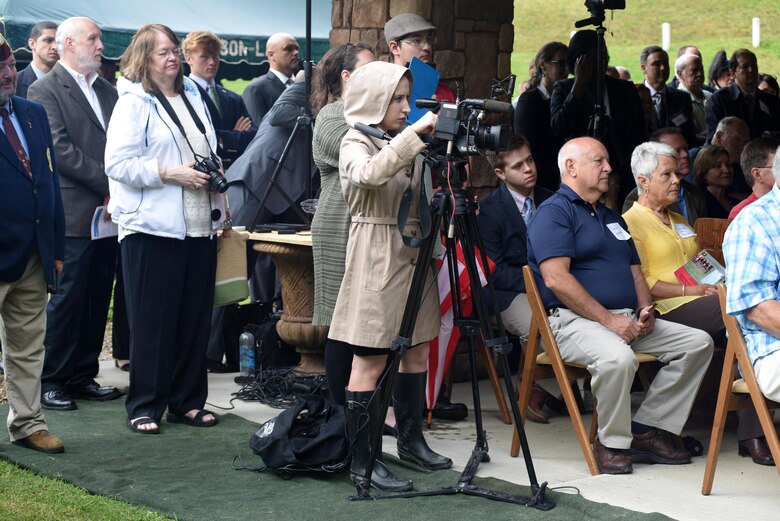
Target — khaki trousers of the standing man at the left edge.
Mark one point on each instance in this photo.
(22, 328)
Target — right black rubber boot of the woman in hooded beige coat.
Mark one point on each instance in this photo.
(408, 393)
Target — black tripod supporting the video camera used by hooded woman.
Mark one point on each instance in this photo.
(456, 210)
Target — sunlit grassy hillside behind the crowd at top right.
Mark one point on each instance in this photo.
(709, 24)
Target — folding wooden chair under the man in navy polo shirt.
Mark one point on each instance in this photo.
(549, 364)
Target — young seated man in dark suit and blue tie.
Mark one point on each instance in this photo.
(502, 221)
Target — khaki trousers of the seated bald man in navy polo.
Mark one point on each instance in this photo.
(686, 353)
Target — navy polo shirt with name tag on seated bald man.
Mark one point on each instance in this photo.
(565, 225)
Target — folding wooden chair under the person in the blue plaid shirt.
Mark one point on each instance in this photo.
(737, 393)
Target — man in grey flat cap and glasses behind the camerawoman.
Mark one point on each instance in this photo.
(412, 36)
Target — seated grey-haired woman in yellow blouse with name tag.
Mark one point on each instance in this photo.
(665, 242)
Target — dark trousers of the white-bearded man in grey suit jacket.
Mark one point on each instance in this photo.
(76, 314)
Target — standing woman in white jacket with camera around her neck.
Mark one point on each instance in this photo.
(167, 215)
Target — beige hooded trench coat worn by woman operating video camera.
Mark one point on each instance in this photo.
(374, 175)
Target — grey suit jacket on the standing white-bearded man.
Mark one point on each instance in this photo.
(79, 143)
